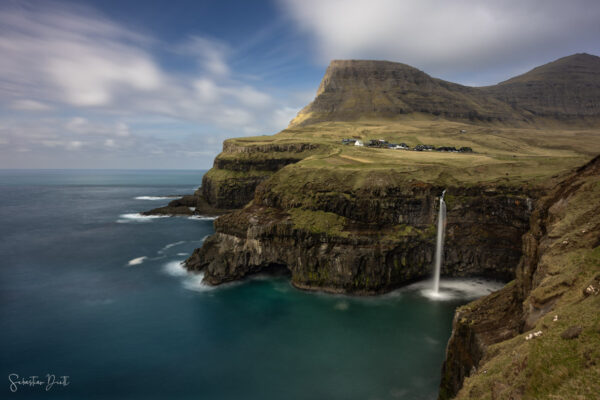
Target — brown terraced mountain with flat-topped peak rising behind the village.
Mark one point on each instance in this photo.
(566, 89)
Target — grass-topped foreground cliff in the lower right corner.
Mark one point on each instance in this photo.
(539, 337)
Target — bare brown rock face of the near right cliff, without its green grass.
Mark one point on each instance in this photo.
(521, 304)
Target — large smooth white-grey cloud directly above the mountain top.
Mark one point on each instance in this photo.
(449, 37)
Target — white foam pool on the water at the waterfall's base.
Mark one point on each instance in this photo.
(452, 289)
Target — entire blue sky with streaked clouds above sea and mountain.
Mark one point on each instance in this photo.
(160, 84)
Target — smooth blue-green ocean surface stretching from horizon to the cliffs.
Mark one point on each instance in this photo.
(92, 291)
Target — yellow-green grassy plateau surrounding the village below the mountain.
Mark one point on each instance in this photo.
(503, 155)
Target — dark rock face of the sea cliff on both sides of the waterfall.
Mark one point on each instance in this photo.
(369, 253)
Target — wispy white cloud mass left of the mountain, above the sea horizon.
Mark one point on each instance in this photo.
(73, 80)
